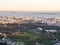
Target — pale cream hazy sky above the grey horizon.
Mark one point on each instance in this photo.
(30, 5)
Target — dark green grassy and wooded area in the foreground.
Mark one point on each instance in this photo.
(32, 37)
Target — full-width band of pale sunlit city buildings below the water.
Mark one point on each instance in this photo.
(26, 19)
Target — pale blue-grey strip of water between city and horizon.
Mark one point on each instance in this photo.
(30, 14)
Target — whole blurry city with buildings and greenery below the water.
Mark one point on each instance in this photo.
(21, 30)
